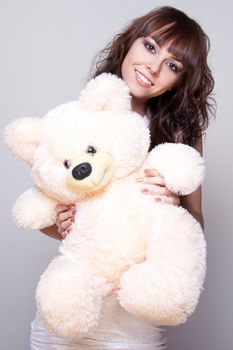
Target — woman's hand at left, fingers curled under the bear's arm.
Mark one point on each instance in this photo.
(65, 218)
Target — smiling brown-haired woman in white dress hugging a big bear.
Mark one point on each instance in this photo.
(162, 57)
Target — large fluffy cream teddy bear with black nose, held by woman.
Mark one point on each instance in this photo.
(151, 255)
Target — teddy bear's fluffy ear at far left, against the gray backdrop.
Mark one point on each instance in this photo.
(23, 136)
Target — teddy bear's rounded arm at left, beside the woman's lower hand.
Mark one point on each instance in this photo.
(33, 210)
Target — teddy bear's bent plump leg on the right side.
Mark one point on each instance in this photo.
(166, 287)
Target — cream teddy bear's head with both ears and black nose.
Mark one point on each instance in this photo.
(79, 147)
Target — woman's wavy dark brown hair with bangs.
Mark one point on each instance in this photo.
(182, 114)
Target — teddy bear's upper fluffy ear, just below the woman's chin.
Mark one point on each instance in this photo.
(105, 92)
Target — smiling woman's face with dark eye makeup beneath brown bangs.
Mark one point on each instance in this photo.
(150, 70)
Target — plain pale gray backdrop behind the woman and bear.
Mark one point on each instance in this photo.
(46, 48)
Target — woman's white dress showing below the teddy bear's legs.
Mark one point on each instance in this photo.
(117, 330)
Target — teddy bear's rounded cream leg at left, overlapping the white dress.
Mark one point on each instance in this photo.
(68, 298)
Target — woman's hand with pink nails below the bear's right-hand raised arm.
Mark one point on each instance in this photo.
(155, 186)
